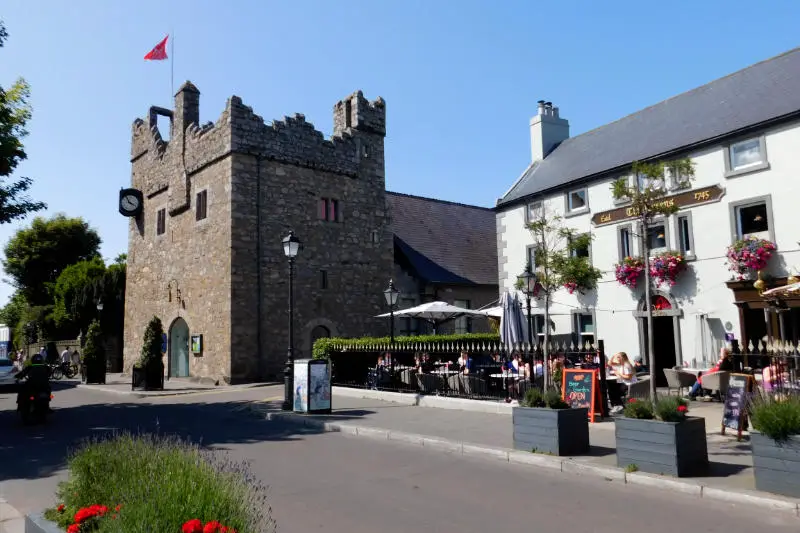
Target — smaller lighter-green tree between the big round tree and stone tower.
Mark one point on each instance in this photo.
(75, 297)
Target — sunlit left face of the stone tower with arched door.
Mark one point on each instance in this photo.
(192, 256)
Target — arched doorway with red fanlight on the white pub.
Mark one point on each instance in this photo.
(666, 333)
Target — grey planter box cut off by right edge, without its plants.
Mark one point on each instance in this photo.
(776, 465)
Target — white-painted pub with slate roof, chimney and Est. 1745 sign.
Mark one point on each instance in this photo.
(743, 134)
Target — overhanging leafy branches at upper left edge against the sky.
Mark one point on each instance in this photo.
(15, 112)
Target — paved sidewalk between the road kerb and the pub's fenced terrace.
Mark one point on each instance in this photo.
(731, 460)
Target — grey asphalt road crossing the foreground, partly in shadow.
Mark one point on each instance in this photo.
(343, 484)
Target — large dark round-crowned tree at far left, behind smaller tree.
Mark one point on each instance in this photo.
(36, 256)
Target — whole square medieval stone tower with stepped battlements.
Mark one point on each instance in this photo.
(205, 255)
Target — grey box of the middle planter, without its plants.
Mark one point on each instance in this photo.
(675, 448)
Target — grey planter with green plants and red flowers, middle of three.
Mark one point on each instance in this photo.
(661, 439)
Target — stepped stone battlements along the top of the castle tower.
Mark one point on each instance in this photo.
(292, 140)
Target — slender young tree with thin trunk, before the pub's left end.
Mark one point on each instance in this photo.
(559, 263)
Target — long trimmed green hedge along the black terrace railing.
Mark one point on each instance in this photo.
(324, 348)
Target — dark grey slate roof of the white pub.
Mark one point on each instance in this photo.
(756, 94)
